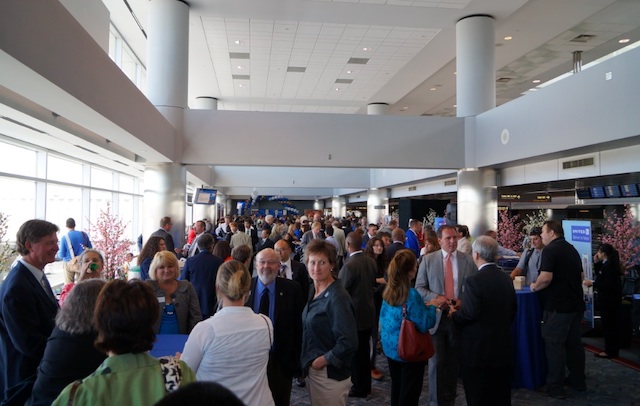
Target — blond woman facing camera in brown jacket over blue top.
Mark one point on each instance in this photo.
(178, 300)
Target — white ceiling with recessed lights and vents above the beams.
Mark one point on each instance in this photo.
(410, 47)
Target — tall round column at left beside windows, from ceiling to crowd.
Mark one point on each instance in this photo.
(165, 184)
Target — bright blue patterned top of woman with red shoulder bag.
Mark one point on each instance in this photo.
(423, 316)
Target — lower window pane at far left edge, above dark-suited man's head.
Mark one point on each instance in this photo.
(18, 201)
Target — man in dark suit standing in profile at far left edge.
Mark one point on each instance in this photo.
(27, 311)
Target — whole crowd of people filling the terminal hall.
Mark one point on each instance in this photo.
(269, 303)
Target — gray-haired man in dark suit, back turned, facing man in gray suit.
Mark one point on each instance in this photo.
(485, 322)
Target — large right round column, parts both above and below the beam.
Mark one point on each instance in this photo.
(477, 205)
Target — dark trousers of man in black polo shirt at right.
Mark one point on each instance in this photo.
(563, 348)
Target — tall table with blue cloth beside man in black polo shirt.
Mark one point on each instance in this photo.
(530, 364)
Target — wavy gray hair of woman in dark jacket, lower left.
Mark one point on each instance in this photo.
(76, 315)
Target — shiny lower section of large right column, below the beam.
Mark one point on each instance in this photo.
(477, 200)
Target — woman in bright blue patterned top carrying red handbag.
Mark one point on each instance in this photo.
(406, 377)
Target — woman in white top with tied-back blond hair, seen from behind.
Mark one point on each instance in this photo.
(232, 347)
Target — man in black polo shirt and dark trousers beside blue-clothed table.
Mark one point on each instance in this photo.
(559, 287)
